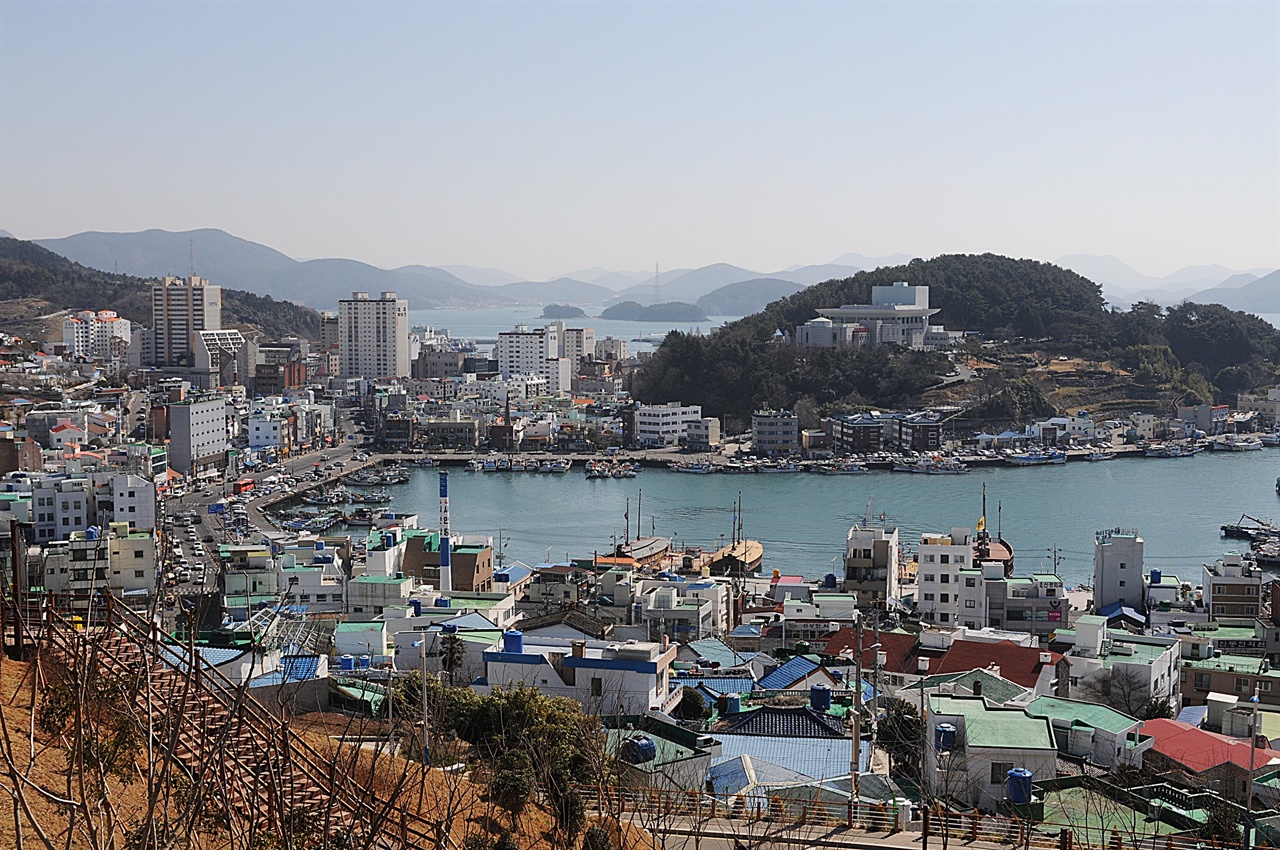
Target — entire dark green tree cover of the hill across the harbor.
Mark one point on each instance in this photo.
(1196, 353)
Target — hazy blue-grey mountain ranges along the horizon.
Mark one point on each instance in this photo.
(719, 289)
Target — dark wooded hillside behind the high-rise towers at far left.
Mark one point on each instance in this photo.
(29, 272)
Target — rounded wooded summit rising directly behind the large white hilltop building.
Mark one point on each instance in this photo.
(972, 293)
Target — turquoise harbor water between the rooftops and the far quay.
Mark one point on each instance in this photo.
(802, 519)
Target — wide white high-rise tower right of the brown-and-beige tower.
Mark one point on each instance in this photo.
(373, 336)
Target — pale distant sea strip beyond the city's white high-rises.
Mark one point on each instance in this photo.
(490, 322)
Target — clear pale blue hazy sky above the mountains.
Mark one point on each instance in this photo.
(546, 138)
